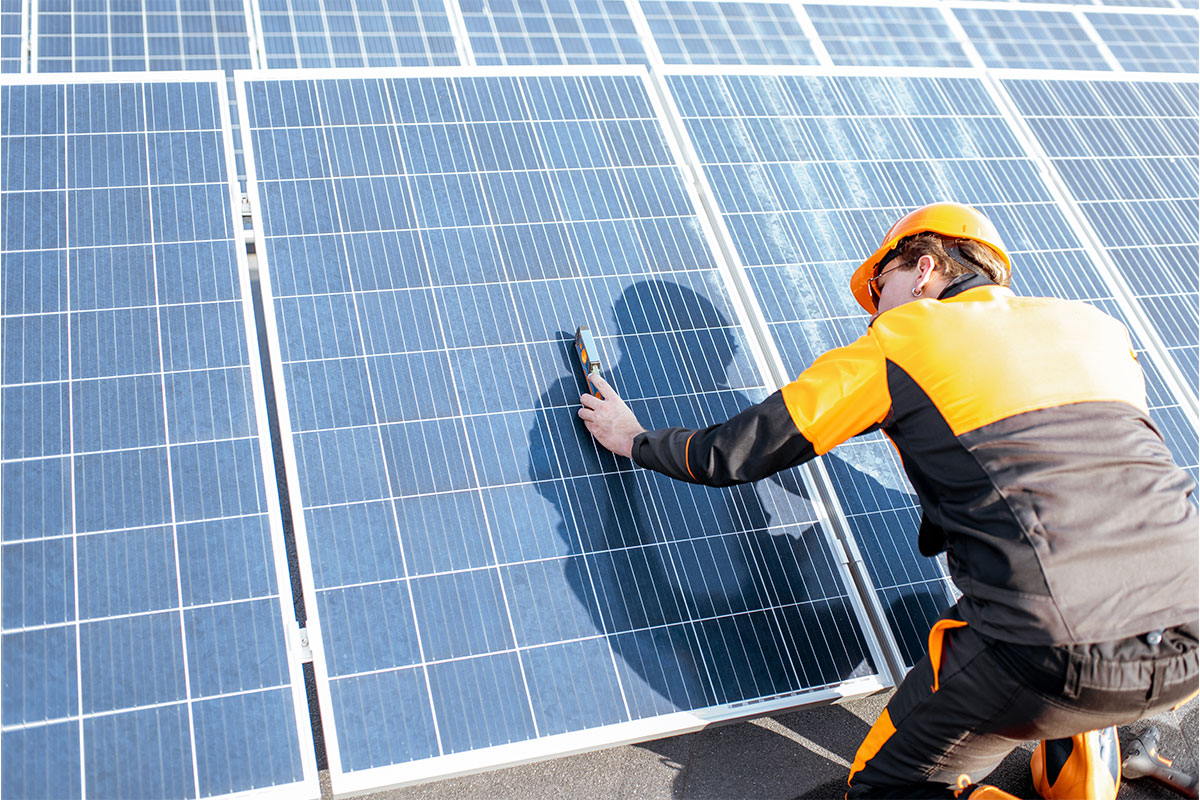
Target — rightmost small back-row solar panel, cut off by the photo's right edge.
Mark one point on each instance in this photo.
(1151, 43)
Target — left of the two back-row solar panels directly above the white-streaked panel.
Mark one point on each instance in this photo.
(728, 33)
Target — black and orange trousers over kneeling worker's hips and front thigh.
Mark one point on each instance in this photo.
(971, 701)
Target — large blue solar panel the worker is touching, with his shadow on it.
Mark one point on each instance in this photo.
(483, 573)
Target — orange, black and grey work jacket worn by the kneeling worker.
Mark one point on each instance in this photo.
(1023, 426)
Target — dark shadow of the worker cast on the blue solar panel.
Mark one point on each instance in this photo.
(707, 598)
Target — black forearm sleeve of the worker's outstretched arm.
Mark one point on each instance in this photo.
(759, 442)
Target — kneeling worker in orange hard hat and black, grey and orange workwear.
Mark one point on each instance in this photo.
(1023, 426)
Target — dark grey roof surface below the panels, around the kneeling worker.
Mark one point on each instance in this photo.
(799, 755)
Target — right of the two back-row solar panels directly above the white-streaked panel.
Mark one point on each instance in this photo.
(893, 37)
